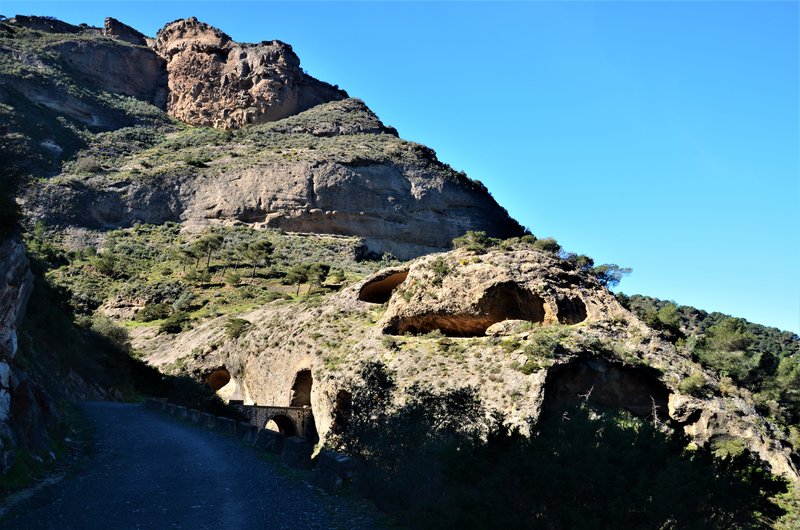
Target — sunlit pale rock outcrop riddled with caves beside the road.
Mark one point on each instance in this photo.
(526, 329)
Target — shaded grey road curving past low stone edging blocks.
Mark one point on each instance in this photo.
(151, 471)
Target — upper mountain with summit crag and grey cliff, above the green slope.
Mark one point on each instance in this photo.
(318, 161)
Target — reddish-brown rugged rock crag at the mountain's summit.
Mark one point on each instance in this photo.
(217, 82)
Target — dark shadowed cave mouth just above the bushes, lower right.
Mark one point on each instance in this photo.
(607, 384)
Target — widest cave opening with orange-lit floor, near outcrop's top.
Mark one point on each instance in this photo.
(503, 301)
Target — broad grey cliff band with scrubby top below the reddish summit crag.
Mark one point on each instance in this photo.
(393, 193)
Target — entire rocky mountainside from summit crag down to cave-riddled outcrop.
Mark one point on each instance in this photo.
(210, 208)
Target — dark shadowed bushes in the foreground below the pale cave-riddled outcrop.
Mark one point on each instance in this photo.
(432, 461)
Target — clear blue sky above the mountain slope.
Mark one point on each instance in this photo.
(659, 136)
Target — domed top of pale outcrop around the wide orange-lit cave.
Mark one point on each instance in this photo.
(465, 297)
